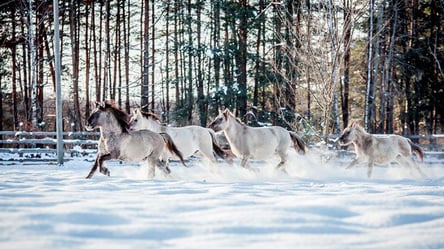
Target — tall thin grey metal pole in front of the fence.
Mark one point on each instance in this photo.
(59, 102)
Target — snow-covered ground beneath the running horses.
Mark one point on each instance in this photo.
(318, 205)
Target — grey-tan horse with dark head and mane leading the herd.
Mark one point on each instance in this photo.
(117, 142)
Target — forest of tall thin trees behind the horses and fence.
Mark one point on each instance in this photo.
(311, 66)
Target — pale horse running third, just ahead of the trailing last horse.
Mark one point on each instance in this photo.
(256, 142)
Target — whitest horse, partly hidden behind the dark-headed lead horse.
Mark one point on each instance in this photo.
(189, 140)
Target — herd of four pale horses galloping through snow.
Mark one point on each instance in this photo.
(142, 137)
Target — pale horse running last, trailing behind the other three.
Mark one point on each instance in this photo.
(380, 150)
